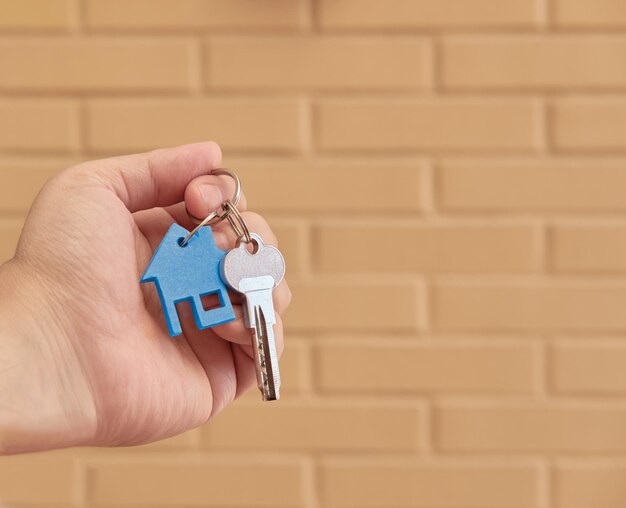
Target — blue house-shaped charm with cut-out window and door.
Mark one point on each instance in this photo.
(189, 273)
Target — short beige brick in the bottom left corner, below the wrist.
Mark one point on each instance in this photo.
(55, 479)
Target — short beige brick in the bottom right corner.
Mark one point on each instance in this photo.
(601, 484)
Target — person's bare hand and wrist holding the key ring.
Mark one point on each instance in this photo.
(85, 357)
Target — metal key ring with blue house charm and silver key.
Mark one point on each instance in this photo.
(188, 266)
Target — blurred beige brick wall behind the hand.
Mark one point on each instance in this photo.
(448, 182)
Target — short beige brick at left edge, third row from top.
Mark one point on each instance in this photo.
(38, 125)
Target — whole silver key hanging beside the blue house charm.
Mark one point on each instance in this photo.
(255, 276)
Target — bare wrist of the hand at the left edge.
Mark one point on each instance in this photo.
(45, 398)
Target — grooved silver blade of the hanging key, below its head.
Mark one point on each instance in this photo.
(268, 374)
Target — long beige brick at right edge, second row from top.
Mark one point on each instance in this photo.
(515, 62)
